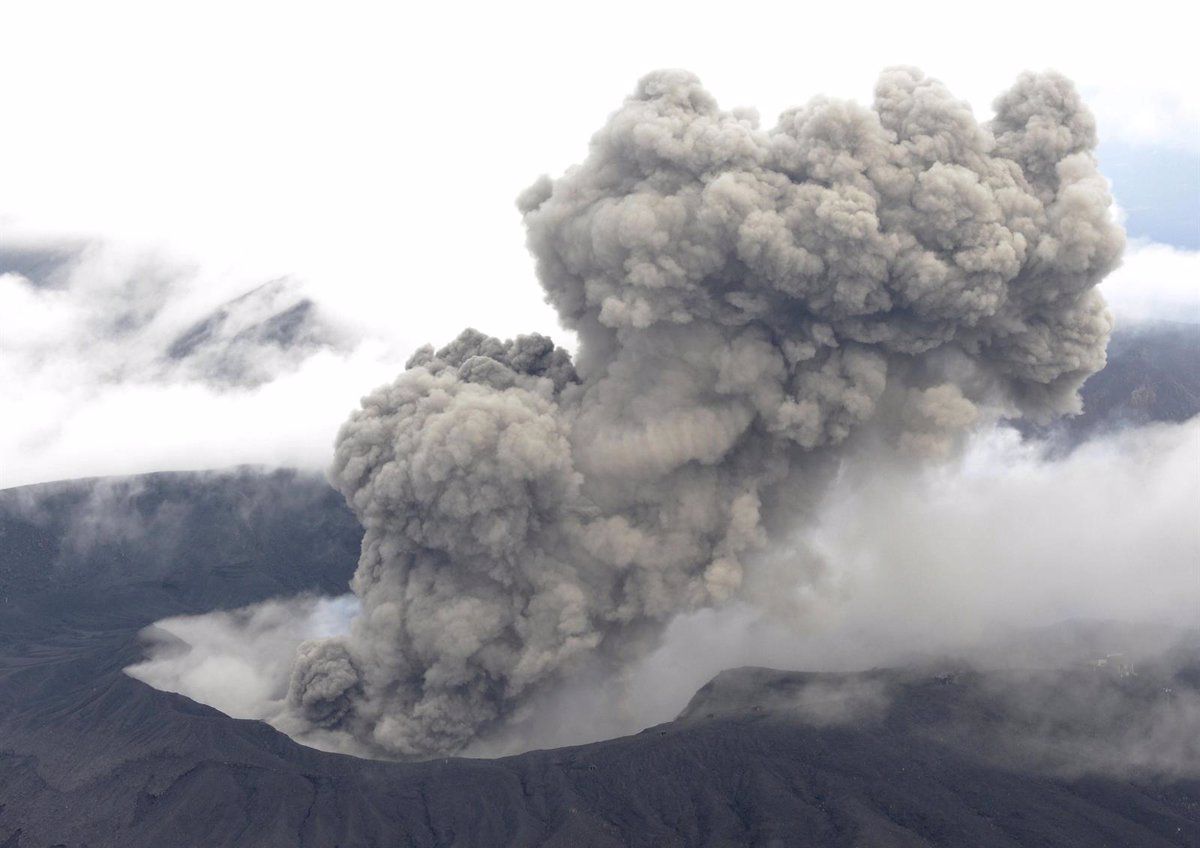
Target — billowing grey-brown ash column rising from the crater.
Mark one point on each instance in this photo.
(745, 302)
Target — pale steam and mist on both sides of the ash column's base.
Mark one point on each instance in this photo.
(949, 561)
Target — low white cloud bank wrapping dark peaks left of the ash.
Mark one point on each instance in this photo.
(124, 360)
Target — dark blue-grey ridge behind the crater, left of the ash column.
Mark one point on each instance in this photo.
(145, 548)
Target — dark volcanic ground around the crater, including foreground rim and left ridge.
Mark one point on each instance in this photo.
(91, 757)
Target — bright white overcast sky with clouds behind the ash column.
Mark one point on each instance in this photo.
(374, 153)
